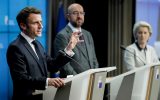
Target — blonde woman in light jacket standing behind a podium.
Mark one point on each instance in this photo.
(139, 53)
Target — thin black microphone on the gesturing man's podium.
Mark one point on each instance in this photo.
(77, 69)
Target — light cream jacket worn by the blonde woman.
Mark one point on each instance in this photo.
(133, 57)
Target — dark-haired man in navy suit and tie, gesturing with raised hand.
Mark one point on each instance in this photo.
(28, 61)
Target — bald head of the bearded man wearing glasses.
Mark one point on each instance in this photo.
(76, 16)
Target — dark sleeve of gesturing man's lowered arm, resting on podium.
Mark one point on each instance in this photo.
(19, 69)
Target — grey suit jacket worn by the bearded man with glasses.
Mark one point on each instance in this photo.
(84, 52)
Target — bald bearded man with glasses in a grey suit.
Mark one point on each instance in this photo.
(84, 51)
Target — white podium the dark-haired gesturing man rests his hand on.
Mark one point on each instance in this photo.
(88, 85)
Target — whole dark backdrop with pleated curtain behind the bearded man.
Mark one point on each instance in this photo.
(110, 23)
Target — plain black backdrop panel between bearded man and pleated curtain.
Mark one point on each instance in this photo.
(96, 22)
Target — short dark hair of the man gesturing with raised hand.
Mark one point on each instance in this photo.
(24, 13)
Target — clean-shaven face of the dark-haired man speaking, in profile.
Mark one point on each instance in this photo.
(33, 28)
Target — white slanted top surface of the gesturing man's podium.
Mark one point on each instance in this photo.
(90, 71)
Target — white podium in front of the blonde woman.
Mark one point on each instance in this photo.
(142, 83)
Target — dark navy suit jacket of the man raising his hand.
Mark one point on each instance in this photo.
(27, 72)
